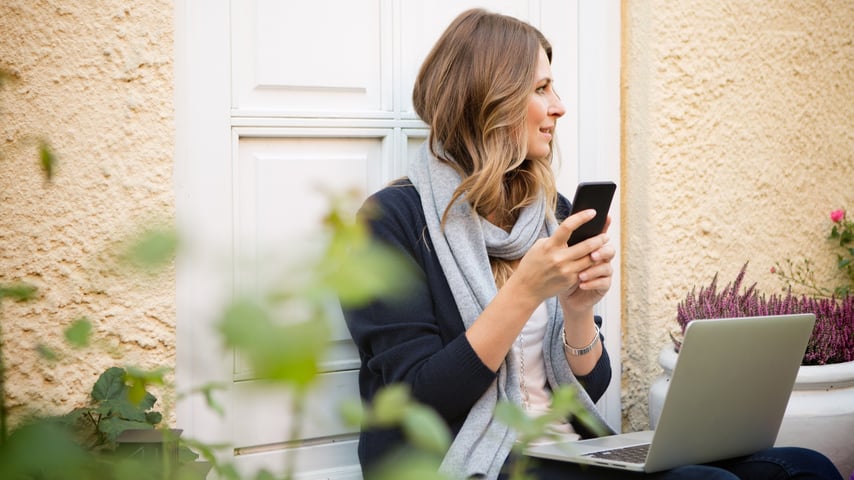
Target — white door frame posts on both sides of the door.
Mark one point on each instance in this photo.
(203, 161)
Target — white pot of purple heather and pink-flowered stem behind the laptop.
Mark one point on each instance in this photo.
(820, 414)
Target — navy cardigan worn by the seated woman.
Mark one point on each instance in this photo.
(418, 340)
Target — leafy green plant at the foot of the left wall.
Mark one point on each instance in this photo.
(116, 435)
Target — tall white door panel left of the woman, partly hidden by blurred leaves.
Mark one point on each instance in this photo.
(281, 190)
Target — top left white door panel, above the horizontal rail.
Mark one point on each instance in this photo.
(319, 56)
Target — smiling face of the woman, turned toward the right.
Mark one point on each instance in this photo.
(544, 108)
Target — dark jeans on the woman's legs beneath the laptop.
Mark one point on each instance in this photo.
(780, 463)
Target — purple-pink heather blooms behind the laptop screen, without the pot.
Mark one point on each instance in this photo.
(832, 340)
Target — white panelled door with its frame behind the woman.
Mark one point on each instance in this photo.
(275, 98)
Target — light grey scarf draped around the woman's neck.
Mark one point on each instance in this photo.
(463, 248)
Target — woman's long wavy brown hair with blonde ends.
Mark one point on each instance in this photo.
(473, 91)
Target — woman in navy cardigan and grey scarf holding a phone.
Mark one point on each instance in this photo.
(504, 308)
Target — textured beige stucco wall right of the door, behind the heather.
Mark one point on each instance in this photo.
(738, 142)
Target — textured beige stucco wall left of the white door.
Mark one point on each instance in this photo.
(96, 80)
